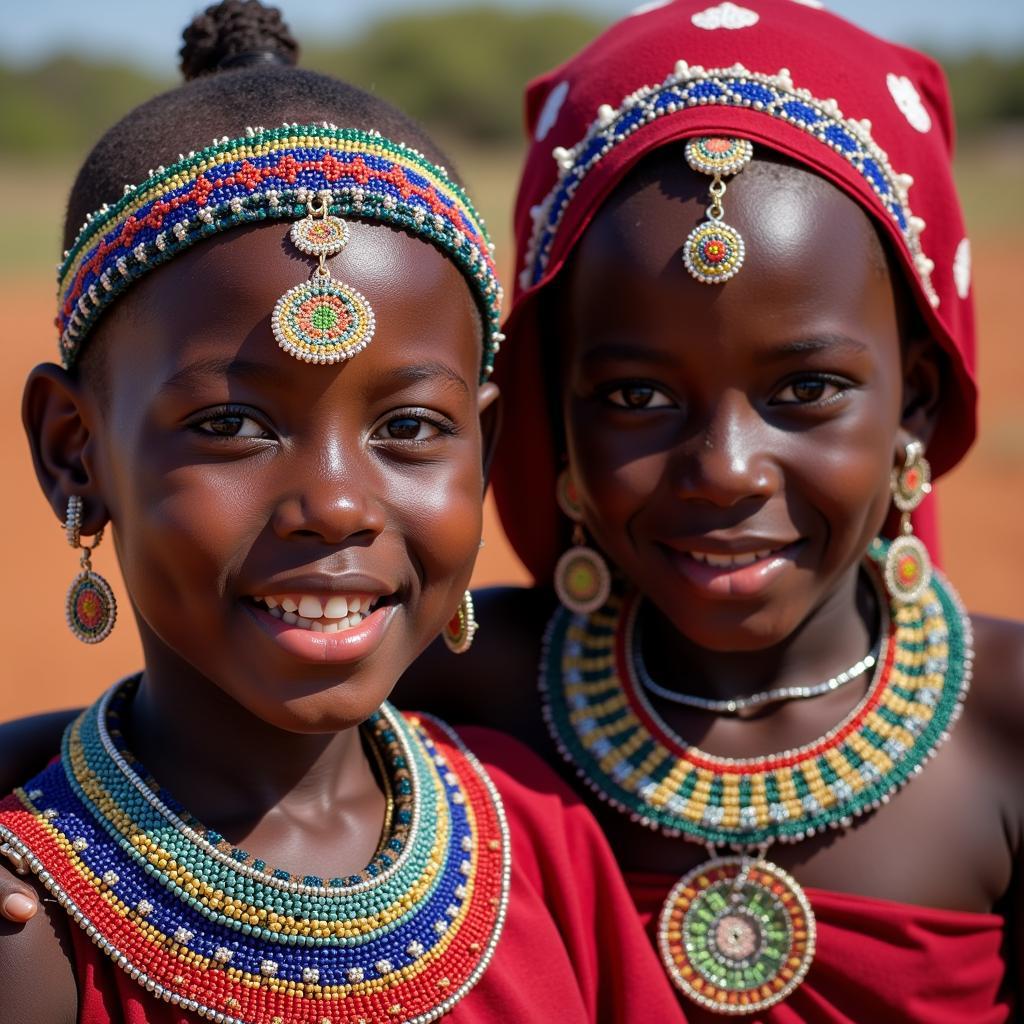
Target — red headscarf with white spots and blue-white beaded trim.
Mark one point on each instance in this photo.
(873, 118)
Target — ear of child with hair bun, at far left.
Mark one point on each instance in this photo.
(57, 415)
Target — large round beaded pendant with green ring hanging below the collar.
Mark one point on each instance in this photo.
(737, 936)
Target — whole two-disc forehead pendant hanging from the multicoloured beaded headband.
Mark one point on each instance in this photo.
(322, 321)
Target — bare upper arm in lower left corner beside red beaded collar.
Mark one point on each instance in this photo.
(37, 976)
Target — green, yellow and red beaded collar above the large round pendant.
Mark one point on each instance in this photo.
(605, 724)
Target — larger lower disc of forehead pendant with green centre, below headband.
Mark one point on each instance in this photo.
(323, 321)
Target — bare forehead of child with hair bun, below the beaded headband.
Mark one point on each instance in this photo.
(217, 302)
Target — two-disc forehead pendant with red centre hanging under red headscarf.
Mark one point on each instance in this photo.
(714, 251)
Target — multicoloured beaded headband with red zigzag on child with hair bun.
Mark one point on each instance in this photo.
(272, 174)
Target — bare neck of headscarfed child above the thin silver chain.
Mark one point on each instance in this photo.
(833, 638)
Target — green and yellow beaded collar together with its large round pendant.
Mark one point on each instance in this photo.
(738, 933)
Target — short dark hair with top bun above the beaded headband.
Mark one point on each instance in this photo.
(238, 60)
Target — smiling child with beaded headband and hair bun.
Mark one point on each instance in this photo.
(275, 392)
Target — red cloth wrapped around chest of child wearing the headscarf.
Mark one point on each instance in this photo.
(879, 962)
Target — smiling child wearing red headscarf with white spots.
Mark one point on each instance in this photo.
(741, 347)
